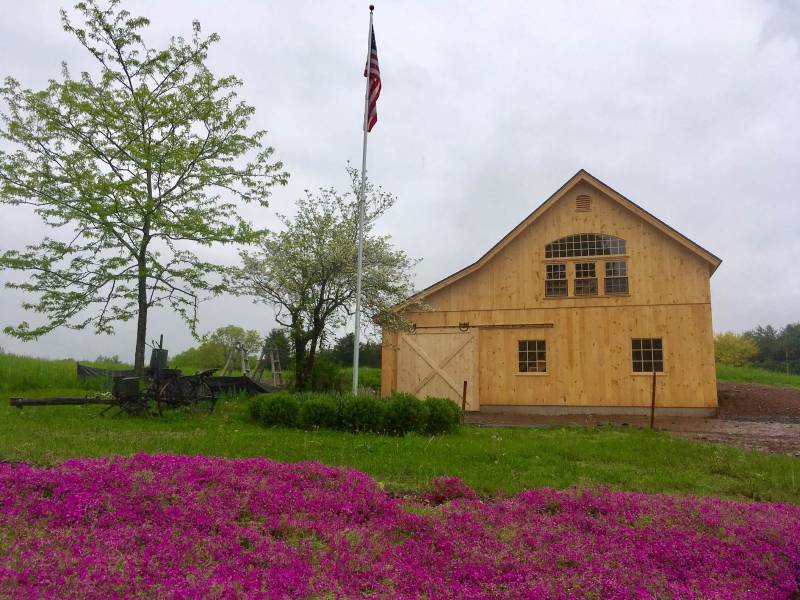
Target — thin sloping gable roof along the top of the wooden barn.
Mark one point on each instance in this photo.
(581, 176)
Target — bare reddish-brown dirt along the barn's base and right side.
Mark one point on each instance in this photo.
(752, 416)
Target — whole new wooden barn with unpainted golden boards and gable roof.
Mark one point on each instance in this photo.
(571, 312)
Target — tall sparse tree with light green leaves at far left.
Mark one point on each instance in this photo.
(128, 165)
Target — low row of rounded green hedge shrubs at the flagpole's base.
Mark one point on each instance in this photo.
(395, 415)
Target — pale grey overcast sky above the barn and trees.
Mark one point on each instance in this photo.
(690, 109)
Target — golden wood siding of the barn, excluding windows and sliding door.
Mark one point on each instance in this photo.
(589, 361)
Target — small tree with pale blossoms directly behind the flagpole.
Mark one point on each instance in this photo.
(308, 270)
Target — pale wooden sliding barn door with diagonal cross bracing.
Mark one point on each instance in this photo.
(437, 363)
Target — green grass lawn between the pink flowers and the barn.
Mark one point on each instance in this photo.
(488, 459)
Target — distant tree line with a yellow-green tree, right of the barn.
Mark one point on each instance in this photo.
(765, 347)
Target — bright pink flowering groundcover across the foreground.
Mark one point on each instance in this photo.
(197, 526)
